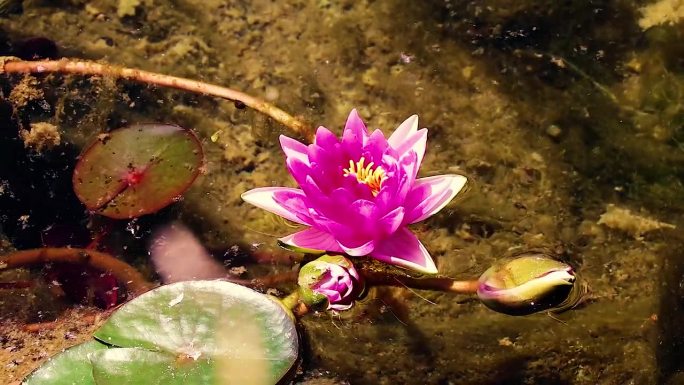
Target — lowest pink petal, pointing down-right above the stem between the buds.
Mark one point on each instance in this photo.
(404, 249)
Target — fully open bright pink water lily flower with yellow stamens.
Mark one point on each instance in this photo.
(359, 193)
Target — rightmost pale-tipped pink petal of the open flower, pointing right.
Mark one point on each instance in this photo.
(429, 195)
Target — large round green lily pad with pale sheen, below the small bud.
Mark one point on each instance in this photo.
(205, 329)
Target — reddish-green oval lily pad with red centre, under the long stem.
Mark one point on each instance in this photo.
(137, 170)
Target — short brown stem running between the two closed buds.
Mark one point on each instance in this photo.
(443, 284)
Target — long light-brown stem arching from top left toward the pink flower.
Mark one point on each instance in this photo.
(85, 67)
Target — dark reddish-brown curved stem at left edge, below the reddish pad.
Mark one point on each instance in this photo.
(126, 274)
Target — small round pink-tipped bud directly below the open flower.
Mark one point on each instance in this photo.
(330, 281)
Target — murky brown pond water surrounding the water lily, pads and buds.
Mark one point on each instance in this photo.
(566, 116)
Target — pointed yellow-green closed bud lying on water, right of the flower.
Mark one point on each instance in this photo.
(529, 284)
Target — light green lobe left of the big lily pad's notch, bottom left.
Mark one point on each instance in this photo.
(72, 366)
